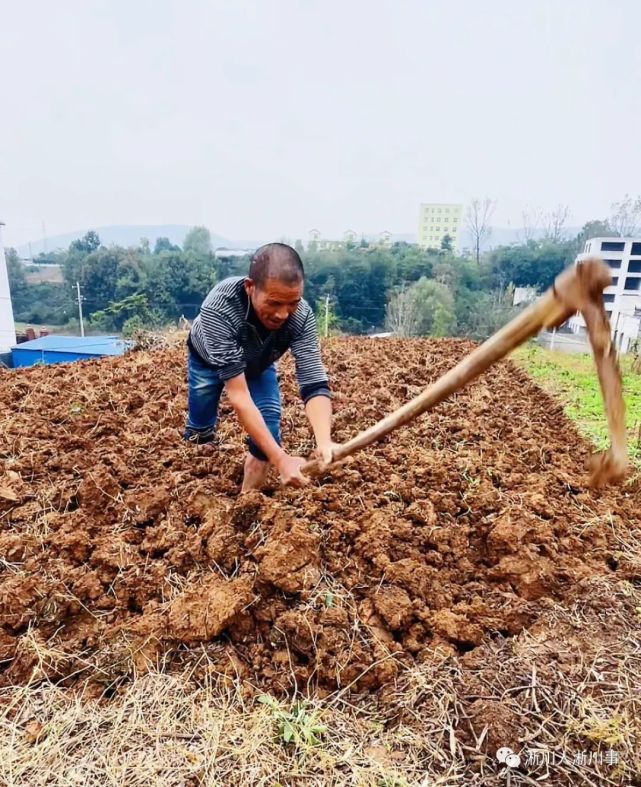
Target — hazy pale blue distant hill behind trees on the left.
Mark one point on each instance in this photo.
(120, 235)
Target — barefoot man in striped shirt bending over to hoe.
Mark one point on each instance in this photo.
(245, 325)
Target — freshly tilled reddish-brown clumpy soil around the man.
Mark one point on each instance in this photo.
(122, 546)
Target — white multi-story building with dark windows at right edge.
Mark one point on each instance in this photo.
(622, 299)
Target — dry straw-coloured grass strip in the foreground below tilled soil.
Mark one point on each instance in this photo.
(573, 684)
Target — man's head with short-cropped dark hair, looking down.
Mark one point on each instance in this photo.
(275, 283)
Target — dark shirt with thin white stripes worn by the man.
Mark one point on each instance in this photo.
(228, 336)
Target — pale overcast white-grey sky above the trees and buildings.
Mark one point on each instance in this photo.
(266, 119)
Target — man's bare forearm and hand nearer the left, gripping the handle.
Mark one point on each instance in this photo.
(254, 424)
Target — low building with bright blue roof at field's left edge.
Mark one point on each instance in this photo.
(63, 349)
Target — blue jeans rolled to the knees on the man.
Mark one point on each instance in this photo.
(205, 389)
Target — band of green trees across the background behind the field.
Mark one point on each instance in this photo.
(357, 289)
